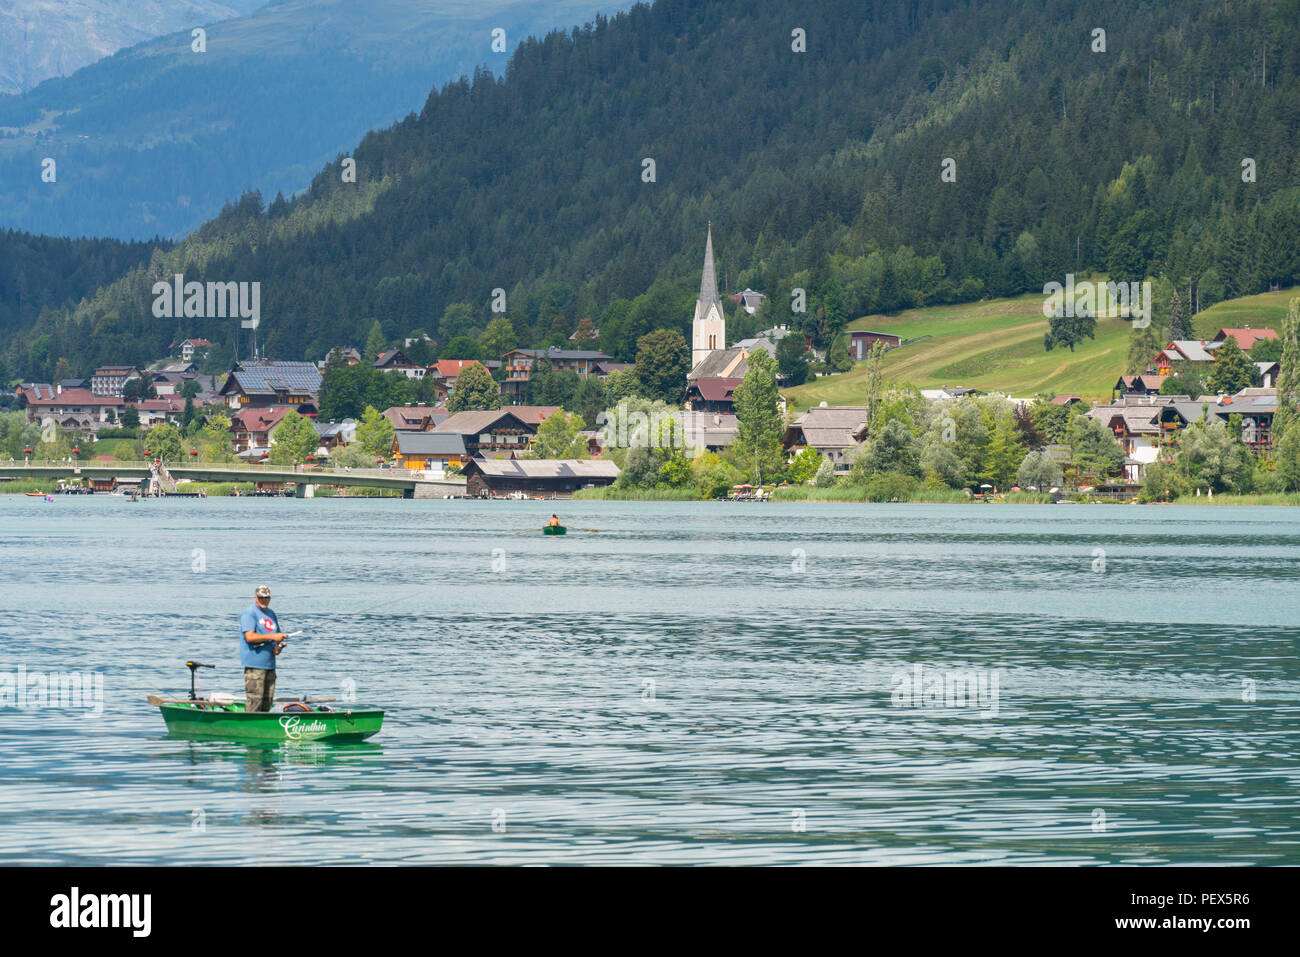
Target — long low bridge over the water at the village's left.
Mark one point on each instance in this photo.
(410, 484)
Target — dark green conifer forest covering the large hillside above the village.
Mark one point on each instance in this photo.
(817, 170)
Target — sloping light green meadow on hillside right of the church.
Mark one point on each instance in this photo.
(996, 345)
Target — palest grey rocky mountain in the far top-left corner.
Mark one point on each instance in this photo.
(55, 38)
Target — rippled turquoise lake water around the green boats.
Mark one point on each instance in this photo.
(694, 685)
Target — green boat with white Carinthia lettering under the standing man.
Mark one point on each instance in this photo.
(219, 720)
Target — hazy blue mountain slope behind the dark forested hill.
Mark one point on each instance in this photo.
(158, 138)
